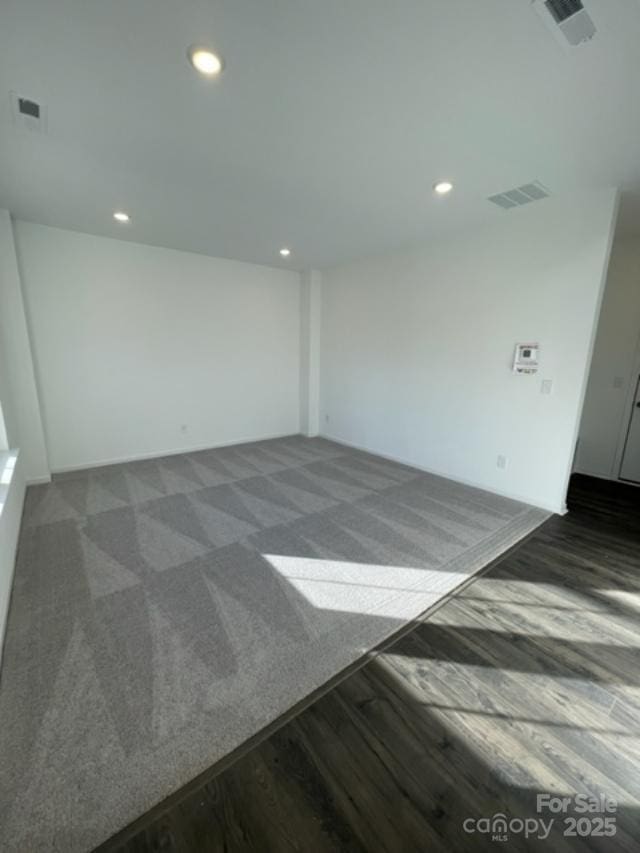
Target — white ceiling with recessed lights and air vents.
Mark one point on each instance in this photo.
(329, 125)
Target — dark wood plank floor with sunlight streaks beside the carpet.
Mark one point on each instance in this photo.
(526, 682)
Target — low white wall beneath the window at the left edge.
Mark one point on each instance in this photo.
(12, 489)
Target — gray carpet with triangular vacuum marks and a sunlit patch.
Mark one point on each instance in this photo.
(164, 611)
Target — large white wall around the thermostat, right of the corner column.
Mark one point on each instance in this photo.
(417, 347)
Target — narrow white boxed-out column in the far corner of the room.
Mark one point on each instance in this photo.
(310, 316)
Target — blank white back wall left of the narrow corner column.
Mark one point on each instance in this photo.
(132, 342)
